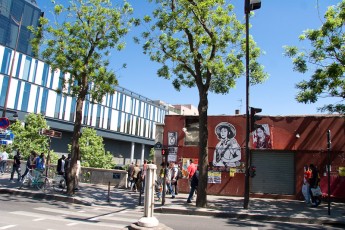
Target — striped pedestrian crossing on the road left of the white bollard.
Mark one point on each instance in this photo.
(56, 218)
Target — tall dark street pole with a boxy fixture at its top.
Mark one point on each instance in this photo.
(249, 5)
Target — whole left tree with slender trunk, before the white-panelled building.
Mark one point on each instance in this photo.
(80, 46)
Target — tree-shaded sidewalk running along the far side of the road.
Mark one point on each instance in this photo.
(220, 206)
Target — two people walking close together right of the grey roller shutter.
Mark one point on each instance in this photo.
(311, 186)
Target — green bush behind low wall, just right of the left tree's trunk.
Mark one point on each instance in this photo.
(92, 150)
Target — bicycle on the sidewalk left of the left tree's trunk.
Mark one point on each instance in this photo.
(35, 178)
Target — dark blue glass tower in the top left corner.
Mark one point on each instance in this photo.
(15, 13)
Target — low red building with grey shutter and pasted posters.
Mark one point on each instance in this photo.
(288, 143)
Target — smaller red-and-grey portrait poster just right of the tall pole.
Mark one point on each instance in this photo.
(262, 137)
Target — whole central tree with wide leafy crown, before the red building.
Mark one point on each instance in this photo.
(200, 44)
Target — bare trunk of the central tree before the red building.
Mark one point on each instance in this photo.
(201, 200)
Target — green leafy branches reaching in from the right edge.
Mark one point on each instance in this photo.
(326, 57)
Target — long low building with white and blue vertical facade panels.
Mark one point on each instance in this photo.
(125, 119)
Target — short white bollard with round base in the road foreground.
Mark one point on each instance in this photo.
(149, 220)
